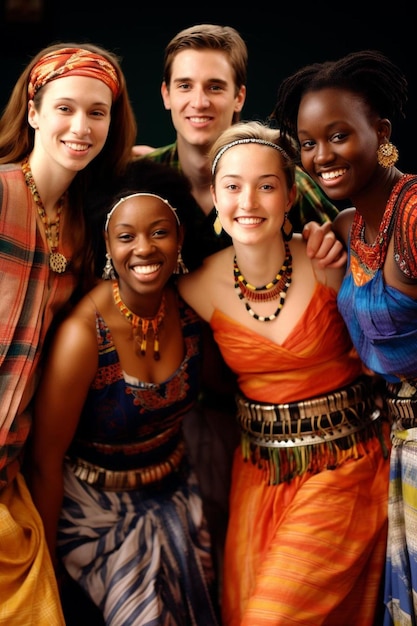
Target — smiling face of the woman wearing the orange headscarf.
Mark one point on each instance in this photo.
(72, 122)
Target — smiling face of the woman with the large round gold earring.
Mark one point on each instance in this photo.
(339, 138)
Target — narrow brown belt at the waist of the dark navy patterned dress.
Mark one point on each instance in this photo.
(126, 480)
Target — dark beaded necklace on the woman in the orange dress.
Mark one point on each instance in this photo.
(279, 286)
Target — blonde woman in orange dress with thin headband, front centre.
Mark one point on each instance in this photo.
(308, 503)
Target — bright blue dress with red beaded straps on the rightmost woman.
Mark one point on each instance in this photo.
(382, 322)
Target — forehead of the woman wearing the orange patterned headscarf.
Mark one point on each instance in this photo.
(83, 88)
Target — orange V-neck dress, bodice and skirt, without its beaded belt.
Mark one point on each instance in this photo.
(308, 550)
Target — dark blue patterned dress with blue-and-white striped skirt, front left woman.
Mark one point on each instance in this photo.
(132, 530)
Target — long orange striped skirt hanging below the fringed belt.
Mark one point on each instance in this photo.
(309, 552)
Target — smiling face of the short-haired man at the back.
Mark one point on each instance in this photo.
(202, 95)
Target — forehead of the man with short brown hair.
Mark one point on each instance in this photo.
(202, 65)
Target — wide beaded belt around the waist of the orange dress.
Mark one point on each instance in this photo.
(325, 418)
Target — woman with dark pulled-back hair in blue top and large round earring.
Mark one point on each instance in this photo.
(341, 113)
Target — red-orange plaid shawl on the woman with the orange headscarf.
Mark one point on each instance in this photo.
(30, 295)
